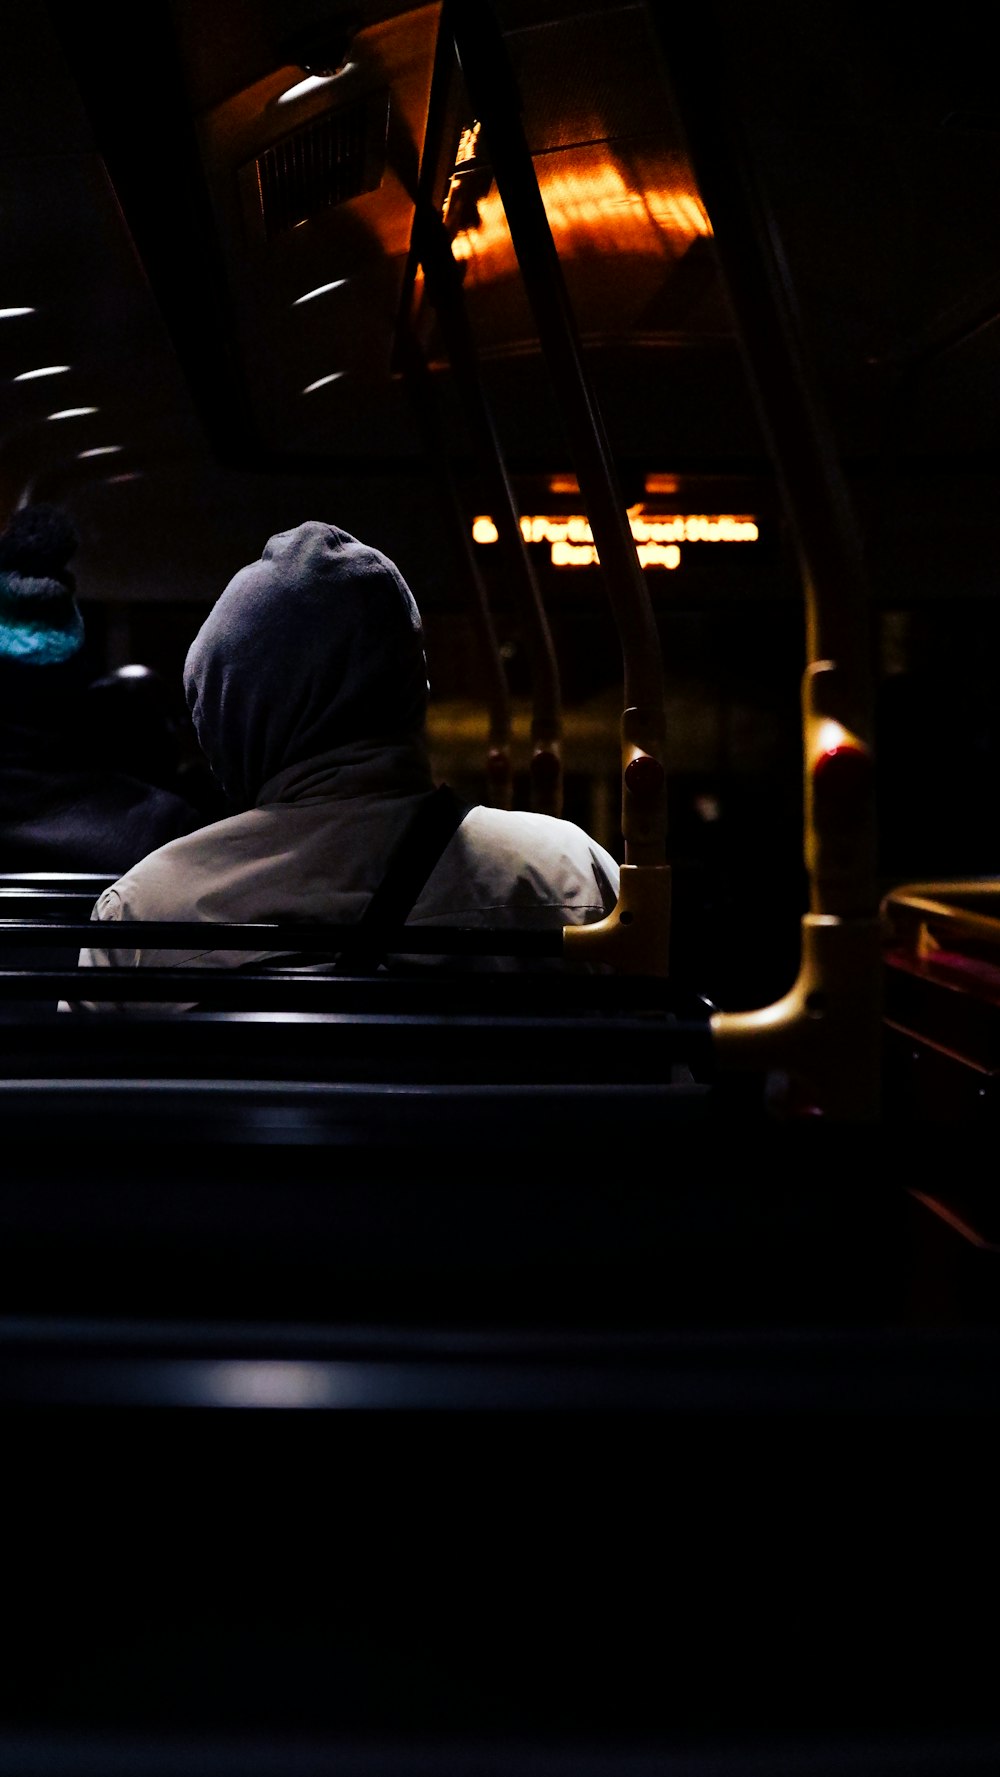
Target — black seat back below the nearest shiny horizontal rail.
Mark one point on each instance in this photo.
(726, 1588)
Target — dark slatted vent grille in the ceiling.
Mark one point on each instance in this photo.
(333, 159)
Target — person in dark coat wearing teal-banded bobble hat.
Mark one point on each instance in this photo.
(61, 808)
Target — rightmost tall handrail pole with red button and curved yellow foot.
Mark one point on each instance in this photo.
(827, 1032)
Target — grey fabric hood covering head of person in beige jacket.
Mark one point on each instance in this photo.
(315, 646)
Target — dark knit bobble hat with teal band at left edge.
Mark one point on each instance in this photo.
(40, 619)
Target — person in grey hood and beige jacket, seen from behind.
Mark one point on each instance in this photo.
(308, 690)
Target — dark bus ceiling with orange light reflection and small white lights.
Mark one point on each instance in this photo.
(166, 212)
